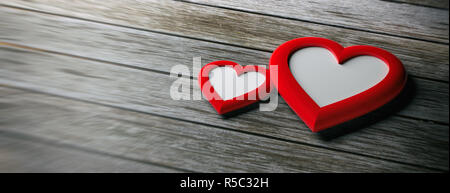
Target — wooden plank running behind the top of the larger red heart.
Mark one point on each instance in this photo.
(422, 59)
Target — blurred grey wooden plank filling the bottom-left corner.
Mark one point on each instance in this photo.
(25, 155)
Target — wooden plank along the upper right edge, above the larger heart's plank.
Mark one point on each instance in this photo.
(367, 15)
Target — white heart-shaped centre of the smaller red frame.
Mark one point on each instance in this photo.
(228, 85)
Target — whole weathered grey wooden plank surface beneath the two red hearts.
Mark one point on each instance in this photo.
(84, 87)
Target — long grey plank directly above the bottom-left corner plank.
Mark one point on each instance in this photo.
(171, 142)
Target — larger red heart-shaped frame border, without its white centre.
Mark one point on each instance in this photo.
(319, 118)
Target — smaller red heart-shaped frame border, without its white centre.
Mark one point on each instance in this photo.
(225, 106)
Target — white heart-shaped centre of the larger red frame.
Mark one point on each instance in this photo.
(326, 81)
